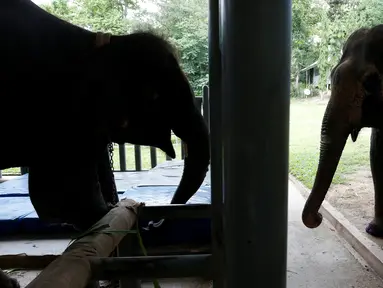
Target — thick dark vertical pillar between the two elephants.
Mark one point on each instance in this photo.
(256, 83)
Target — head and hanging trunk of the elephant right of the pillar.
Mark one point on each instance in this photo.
(356, 102)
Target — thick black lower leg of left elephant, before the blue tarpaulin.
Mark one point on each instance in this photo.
(77, 200)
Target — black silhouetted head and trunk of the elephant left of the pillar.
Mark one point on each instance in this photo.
(149, 97)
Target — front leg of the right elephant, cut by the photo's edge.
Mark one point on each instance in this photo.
(375, 227)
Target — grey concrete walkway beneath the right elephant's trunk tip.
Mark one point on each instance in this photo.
(317, 258)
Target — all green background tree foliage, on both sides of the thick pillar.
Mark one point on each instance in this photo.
(319, 28)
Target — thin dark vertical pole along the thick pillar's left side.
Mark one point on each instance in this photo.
(215, 126)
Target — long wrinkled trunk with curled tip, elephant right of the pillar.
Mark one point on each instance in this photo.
(334, 134)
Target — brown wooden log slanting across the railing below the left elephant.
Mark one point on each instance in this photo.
(73, 269)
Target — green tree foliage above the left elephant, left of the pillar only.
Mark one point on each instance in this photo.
(184, 23)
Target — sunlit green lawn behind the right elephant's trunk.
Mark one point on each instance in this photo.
(305, 124)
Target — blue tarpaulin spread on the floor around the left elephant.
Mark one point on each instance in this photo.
(17, 215)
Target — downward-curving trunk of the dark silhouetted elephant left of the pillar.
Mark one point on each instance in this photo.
(194, 132)
